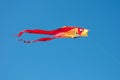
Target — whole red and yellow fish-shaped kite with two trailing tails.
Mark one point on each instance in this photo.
(63, 32)
